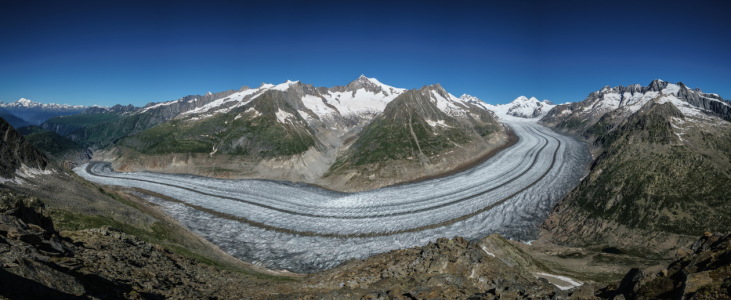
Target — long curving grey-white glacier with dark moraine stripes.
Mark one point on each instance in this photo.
(302, 228)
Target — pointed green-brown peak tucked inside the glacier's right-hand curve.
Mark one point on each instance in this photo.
(423, 129)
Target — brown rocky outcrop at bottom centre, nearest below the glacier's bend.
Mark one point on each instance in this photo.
(445, 269)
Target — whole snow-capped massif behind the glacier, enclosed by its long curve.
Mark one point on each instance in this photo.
(295, 131)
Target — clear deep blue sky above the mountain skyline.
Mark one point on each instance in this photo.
(109, 52)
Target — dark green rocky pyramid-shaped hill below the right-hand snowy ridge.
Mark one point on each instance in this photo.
(648, 178)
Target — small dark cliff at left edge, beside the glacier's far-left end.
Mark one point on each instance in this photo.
(16, 152)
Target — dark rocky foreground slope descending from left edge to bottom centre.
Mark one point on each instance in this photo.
(101, 263)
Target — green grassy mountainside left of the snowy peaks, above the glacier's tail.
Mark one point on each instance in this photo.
(261, 136)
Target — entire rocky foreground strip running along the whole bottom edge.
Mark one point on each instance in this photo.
(40, 262)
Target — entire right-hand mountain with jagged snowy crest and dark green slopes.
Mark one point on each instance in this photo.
(660, 173)
